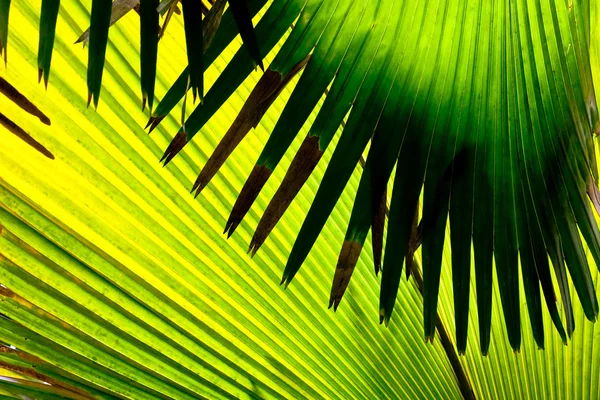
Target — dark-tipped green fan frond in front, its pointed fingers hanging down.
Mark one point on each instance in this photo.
(484, 109)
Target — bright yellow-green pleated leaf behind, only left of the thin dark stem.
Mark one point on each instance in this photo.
(235, 347)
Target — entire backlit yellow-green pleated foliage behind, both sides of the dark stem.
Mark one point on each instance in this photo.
(122, 285)
